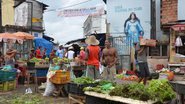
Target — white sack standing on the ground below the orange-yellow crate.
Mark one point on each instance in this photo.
(49, 88)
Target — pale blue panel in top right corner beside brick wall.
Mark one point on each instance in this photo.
(181, 8)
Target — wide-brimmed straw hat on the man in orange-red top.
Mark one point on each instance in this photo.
(91, 40)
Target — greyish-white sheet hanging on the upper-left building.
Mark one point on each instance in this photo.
(21, 15)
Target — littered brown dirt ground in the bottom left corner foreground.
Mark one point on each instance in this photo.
(20, 90)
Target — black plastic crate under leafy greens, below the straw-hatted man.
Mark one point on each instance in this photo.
(77, 89)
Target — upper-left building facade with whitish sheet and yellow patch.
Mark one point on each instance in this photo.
(30, 14)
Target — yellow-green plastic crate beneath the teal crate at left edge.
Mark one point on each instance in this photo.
(8, 85)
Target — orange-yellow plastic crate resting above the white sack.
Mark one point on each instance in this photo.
(61, 77)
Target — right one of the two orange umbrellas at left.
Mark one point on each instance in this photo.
(24, 35)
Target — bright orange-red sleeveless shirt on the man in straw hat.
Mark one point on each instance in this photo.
(93, 57)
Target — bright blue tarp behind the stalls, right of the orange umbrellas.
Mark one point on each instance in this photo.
(44, 44)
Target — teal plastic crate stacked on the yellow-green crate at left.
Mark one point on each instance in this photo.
(7, 76)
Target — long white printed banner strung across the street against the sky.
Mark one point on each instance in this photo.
(82, 12)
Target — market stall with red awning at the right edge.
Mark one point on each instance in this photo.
(177, 58)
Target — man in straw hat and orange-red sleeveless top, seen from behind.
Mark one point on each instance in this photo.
(92, 57)
